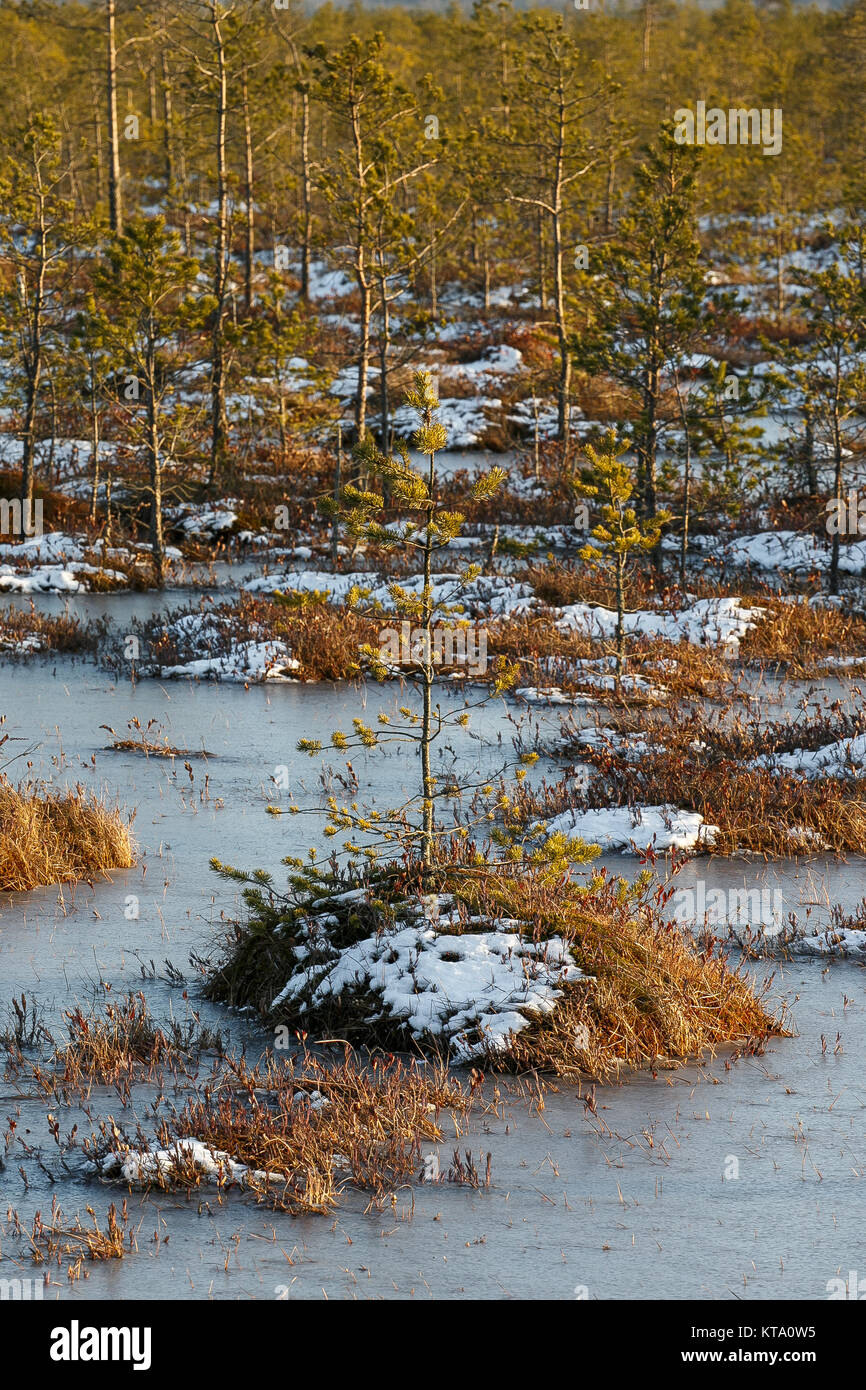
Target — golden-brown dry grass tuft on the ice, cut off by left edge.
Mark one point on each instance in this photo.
(58, 836)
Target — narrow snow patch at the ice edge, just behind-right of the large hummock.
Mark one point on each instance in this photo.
(636, 828)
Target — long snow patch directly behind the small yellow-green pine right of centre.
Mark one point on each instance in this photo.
(705, 623)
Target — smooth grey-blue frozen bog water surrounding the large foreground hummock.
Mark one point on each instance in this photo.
(742, 1181)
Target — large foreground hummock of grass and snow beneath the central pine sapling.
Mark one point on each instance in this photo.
(647, 992)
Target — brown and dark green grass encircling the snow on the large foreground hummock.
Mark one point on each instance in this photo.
(654, 993)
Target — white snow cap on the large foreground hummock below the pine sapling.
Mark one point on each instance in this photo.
(472, 989)
